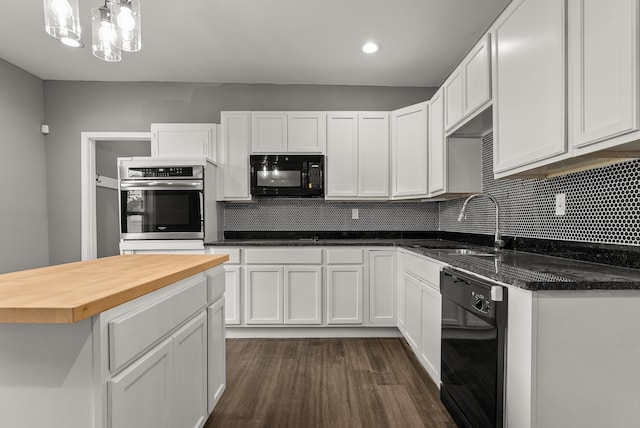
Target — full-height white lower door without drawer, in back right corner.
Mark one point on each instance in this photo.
(382, 286)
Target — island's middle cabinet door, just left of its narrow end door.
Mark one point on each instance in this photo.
(190, 373)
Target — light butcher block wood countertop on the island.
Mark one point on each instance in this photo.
(72, 292)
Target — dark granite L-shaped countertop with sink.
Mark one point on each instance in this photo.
(527, 270)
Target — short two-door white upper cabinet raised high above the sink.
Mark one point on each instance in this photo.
(469, 86)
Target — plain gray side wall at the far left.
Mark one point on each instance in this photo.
(23, 198)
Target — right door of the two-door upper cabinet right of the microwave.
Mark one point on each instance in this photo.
(373, 155)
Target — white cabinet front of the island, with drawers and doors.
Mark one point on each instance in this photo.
(162, 356)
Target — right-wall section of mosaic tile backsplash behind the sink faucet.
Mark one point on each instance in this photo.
(602, 205)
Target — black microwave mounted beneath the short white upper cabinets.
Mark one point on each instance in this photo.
(287, 175)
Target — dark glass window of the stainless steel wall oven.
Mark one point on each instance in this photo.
(161, 211)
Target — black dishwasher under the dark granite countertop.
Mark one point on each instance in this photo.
(473, 349)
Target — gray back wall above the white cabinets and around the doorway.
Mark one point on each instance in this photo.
(74, 107)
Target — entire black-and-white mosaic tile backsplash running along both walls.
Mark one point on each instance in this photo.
(602, 207)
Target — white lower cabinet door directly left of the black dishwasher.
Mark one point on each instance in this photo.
(431, 331)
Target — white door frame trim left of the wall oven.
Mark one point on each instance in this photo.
(87, 183)
